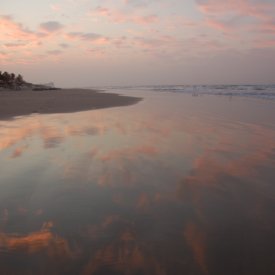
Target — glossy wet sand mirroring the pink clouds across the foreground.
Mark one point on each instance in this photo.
(166, 186)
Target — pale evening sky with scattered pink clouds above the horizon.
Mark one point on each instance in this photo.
(82, 43)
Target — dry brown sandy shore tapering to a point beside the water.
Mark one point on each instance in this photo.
(17, 103)
